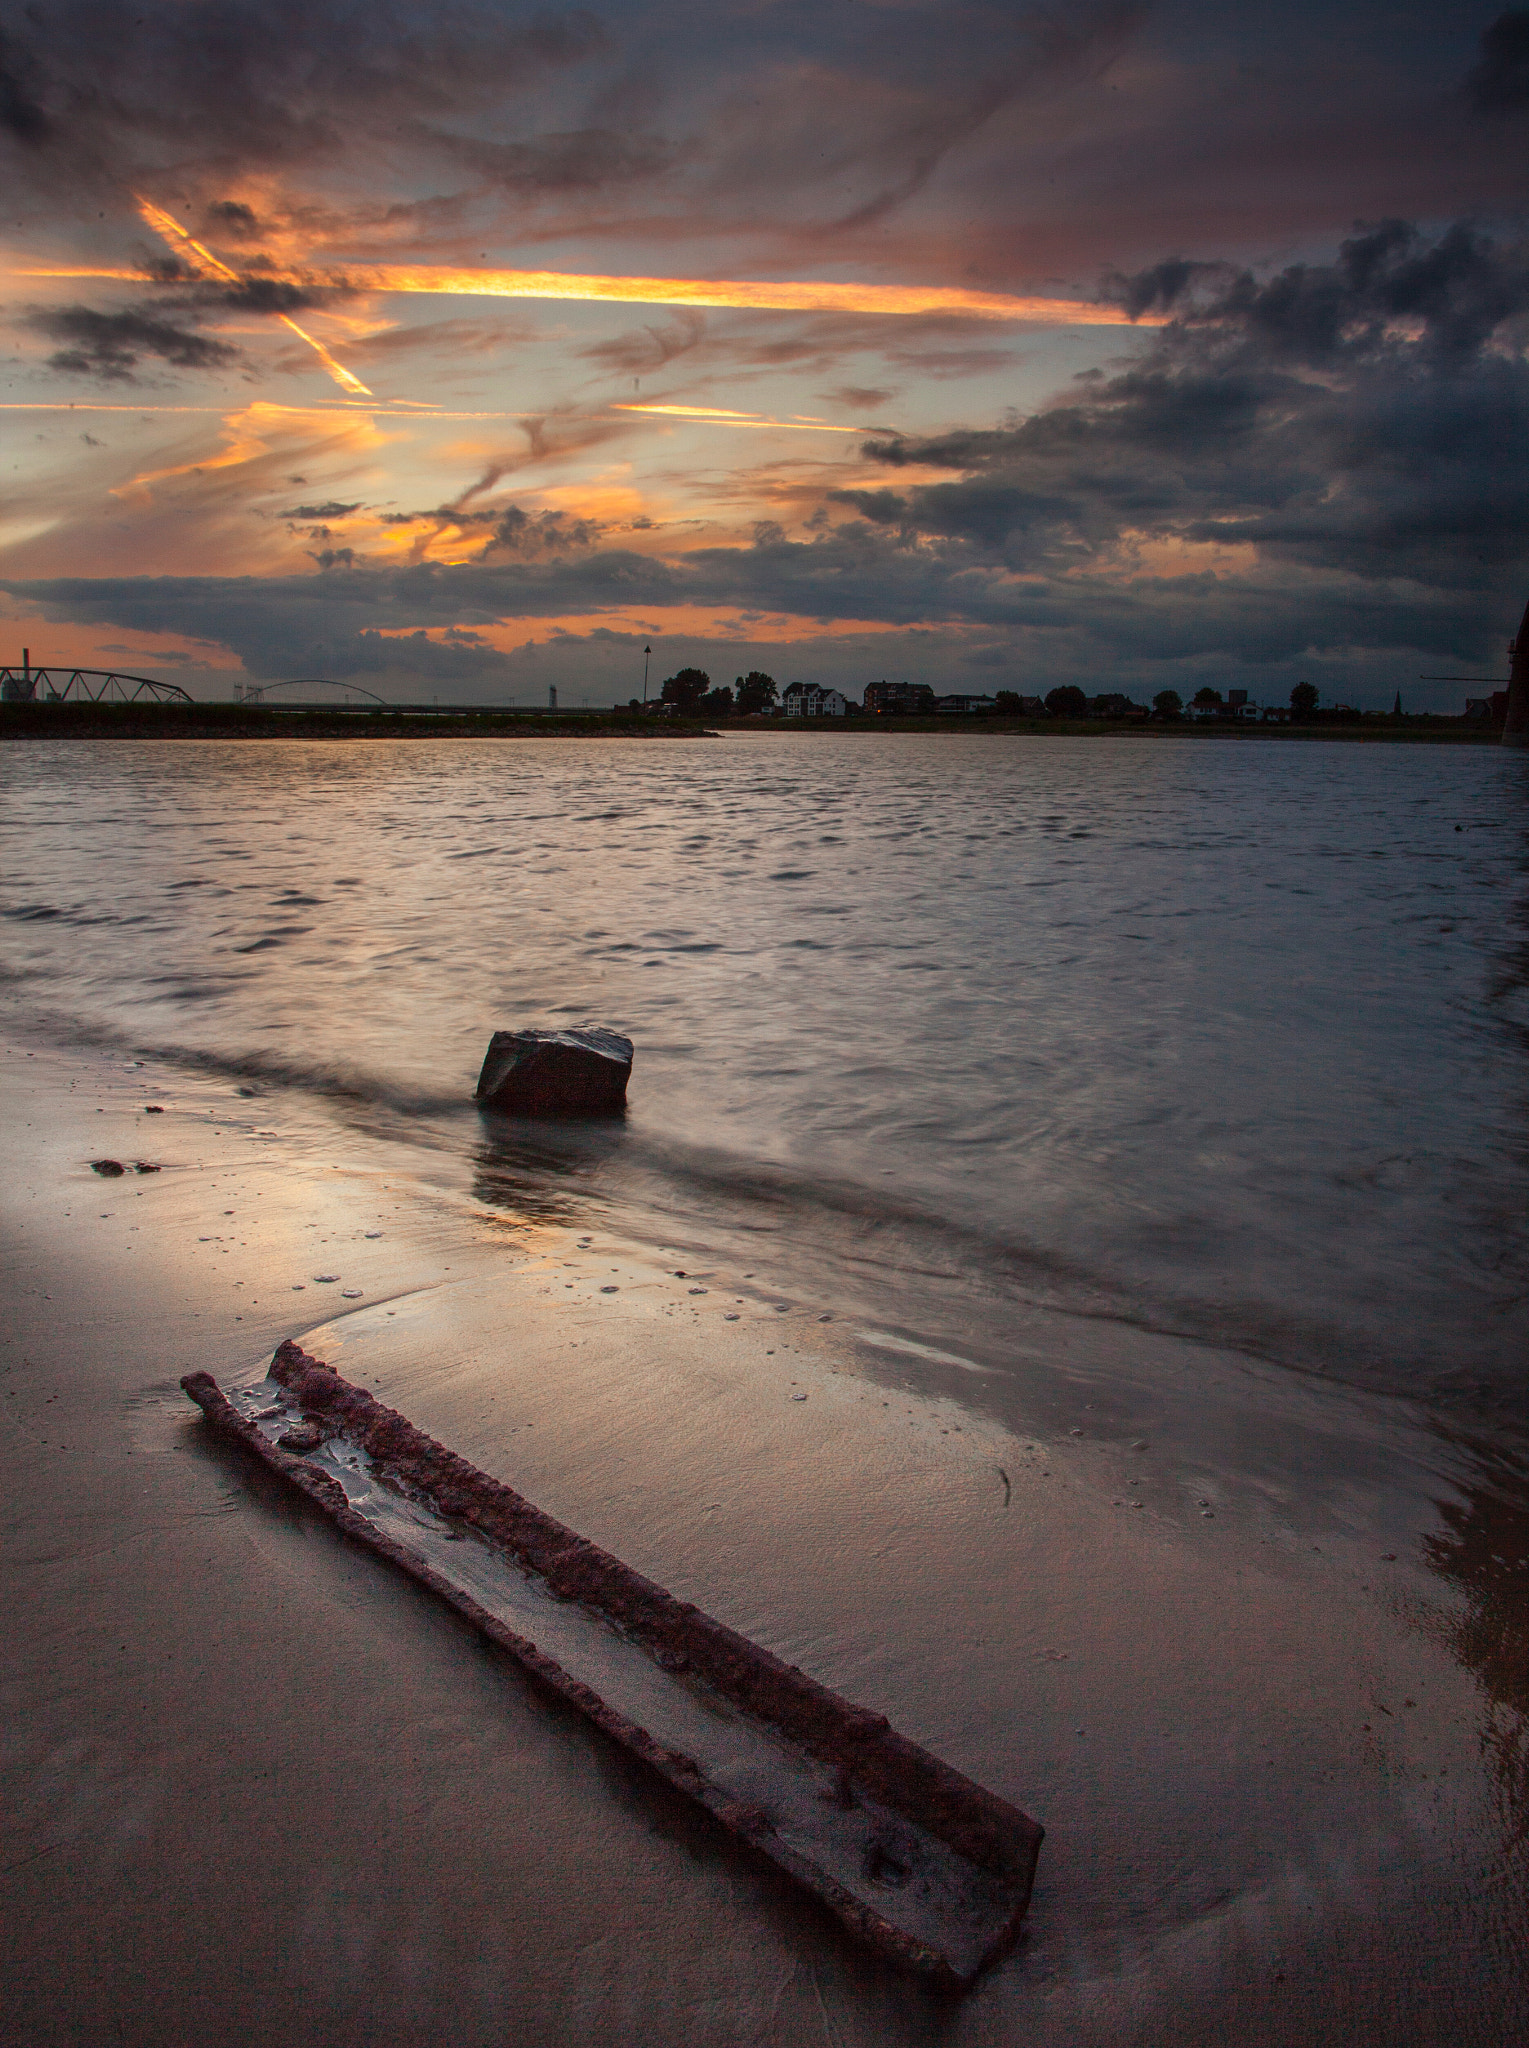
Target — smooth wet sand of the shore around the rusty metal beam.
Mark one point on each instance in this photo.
(257, 1785)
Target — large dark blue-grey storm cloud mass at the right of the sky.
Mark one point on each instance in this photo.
(1368, 417)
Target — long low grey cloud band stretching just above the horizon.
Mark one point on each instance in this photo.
(1100, 624)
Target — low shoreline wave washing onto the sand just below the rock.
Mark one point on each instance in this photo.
(832, 1234)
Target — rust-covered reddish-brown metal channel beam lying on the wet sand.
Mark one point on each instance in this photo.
(934, 1871)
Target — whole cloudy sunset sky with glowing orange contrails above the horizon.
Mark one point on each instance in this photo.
(462, 351)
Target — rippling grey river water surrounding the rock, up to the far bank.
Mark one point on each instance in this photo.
(1225, 1041)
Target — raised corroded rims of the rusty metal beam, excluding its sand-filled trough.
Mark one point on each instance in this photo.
(898, 1773)
